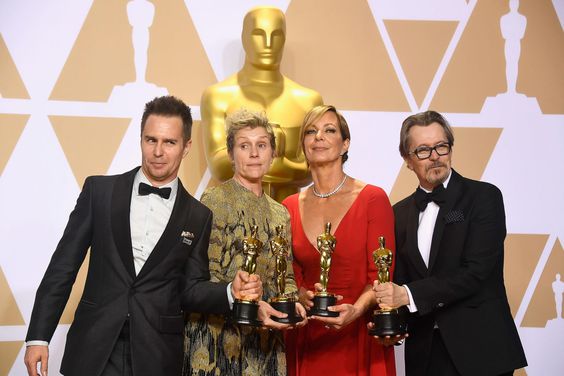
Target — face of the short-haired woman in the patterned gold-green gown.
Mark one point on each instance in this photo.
(252, 155)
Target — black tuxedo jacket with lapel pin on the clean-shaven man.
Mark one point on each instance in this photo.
(174, 278)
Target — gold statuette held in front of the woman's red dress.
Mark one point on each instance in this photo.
(323, 300)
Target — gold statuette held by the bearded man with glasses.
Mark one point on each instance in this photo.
(387, 322)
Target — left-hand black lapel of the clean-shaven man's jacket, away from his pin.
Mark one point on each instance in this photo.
(121, 205)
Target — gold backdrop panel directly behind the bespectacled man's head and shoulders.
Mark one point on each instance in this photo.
(468, 160)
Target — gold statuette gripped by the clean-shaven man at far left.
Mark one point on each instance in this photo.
(245, 311)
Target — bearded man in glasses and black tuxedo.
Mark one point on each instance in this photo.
(449, 263)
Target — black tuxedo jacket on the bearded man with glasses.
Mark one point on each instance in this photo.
(462, 290)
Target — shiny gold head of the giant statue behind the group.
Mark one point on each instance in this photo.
(263, 36)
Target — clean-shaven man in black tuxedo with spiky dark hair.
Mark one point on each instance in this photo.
(148, 241)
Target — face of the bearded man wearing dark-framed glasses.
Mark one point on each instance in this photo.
(435, 169)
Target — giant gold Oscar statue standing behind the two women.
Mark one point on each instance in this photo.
(259, 86)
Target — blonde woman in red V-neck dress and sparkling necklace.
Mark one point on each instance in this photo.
(359, 214)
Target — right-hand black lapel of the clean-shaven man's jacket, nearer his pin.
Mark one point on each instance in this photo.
(172, 233)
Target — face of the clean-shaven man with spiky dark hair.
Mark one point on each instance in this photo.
(162, 148)
